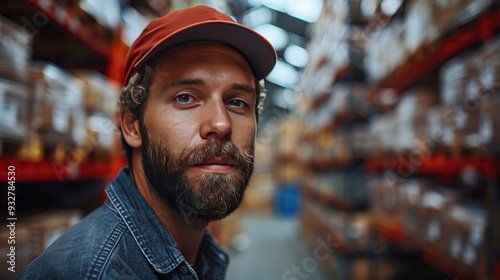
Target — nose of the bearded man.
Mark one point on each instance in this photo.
(216, 122)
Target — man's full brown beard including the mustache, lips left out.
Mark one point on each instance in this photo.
(197, 200)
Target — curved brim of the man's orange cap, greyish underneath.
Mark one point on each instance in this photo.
(259, 53)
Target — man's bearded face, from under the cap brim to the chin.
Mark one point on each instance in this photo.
(198, 130)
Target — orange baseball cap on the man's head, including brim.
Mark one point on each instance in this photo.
(200, 23)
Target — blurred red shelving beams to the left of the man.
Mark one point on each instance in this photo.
(88, 45)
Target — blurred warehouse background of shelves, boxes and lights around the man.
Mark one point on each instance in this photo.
(377, 155)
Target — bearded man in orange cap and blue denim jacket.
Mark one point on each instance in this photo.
(188, 116)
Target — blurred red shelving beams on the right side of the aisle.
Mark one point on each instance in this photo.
(471, 30)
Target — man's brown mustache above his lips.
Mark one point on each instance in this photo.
(215, 148)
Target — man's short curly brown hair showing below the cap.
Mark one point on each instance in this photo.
(135, 94)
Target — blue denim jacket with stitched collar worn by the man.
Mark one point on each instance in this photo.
(123, 239)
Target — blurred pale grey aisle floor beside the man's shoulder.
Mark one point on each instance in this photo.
(271, 249)
